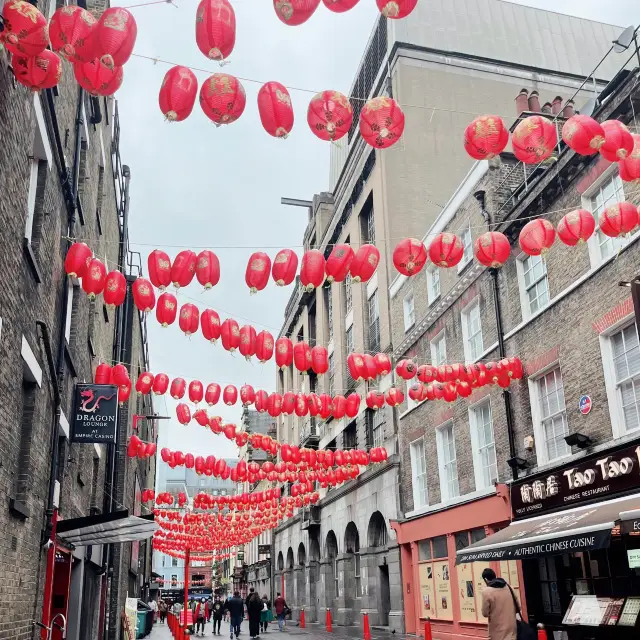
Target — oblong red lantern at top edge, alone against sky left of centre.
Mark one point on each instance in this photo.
(215, 29)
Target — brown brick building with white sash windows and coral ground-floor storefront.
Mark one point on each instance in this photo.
(566, 317)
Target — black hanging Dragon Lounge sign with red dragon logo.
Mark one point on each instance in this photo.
(95, 413)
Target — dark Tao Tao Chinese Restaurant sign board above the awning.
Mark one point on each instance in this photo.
(594, 478)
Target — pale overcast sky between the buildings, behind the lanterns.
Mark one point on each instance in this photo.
(198, 186)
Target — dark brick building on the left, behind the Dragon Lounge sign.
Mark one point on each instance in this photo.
(61, 177)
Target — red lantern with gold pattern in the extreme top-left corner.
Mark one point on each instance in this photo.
(25, 29)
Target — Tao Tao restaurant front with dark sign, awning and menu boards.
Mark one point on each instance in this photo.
(576, 531)
